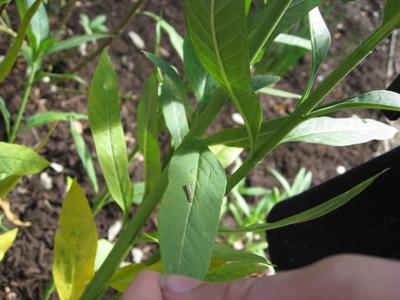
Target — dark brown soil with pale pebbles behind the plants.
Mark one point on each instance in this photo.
(27, 267)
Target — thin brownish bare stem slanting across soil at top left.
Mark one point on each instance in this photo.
(115, 34)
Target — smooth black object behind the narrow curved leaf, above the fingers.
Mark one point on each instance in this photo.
(369, 224)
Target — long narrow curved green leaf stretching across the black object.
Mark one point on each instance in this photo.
(310, 214)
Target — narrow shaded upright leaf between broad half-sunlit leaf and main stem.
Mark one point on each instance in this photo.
(147, 123)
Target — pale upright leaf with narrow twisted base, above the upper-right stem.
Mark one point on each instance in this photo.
(321, 42)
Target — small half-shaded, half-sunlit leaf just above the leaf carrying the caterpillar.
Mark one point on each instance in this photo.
(174, 112)
